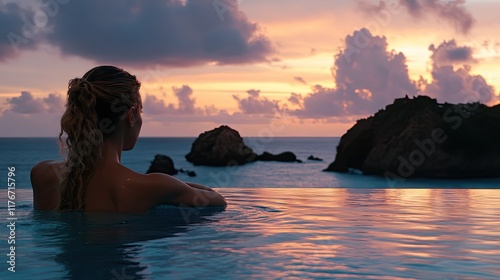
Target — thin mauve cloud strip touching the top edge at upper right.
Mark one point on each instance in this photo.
(453, 11)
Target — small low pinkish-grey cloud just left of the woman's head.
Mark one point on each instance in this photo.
(27, 104)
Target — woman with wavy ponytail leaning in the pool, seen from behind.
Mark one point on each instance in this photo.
(102, 119)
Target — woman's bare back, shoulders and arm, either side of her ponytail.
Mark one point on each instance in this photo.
(115, 188)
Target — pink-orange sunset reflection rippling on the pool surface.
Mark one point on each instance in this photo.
(316, 229)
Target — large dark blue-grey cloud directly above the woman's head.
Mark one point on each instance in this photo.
(171, 32)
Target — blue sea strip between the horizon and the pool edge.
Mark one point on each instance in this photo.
(23, 153)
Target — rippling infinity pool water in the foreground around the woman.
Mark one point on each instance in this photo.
(270, 234)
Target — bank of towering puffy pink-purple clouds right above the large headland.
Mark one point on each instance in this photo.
(368, 76)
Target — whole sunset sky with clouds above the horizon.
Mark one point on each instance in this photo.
(265, 68)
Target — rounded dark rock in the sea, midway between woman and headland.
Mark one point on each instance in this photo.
(220, 147)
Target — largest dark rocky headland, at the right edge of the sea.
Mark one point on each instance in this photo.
(421, 138)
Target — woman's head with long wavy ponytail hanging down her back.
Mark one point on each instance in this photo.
(104, 103)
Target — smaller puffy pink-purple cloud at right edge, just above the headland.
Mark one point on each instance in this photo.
(451, 83)
